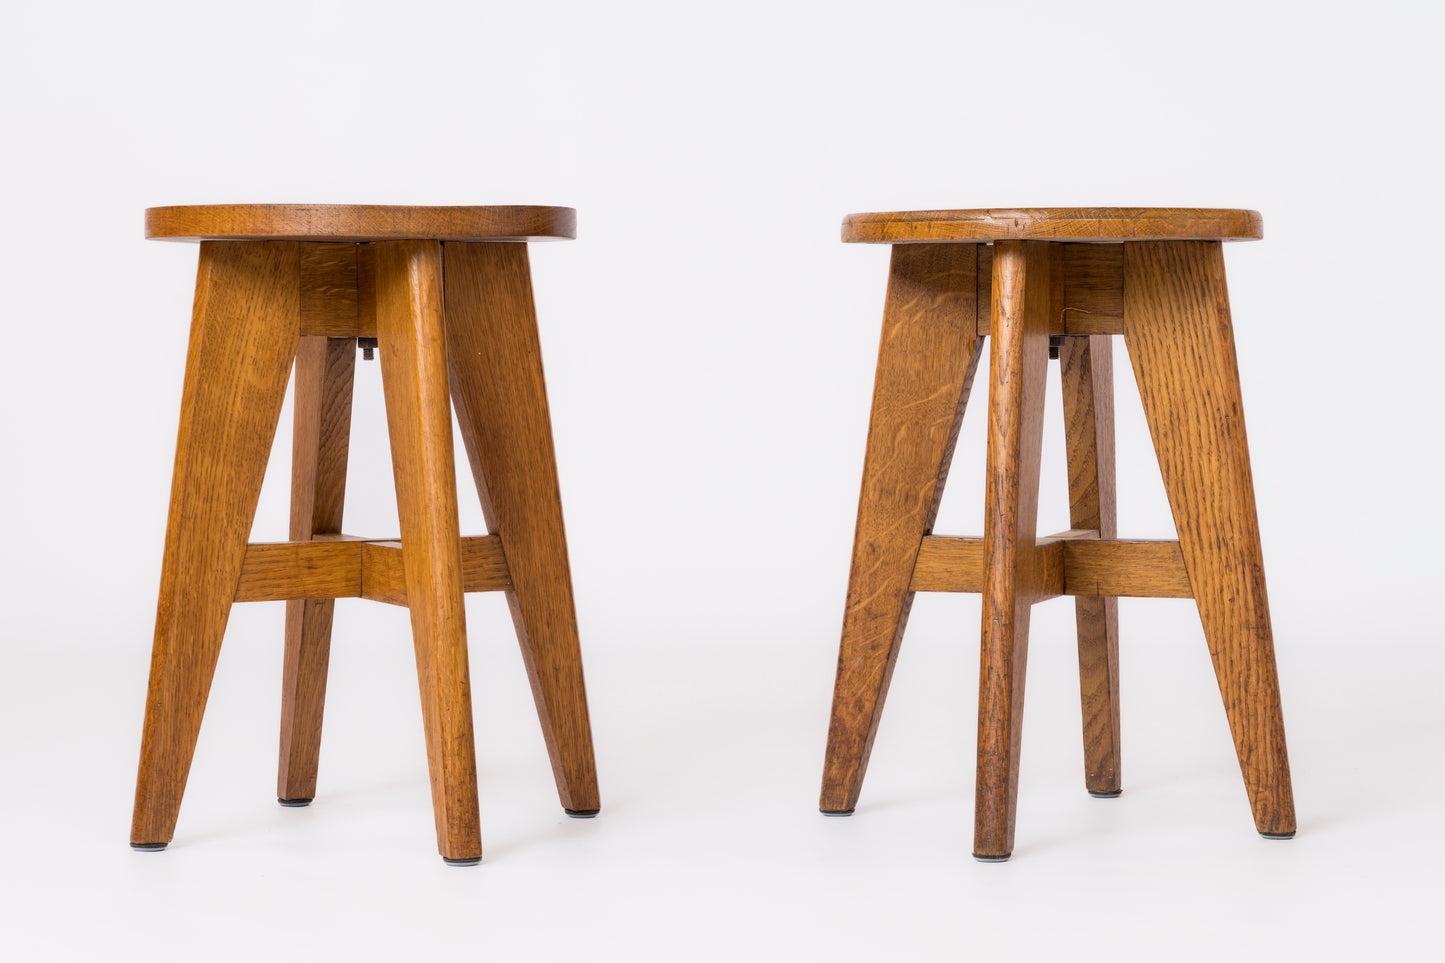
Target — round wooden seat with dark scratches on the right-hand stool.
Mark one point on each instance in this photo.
(1099, 225)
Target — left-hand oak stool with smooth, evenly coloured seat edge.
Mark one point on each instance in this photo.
(446, 294)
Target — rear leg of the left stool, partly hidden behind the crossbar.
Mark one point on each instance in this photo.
(326, 369)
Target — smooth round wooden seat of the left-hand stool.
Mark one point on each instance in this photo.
(359, 223)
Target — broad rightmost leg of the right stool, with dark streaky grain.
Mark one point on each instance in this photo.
(1180, 338)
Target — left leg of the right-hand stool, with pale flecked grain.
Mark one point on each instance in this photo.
(927, 362)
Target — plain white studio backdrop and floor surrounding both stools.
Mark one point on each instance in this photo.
(710, 351)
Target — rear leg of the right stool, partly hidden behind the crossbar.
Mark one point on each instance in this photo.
(1087, 374)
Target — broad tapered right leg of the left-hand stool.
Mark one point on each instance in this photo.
(496, 377)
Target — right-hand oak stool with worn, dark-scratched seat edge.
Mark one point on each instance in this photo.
(1057, 283)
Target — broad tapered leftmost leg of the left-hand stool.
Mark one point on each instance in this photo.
(243, 338)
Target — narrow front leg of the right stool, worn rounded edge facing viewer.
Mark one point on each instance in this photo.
(1019, 362)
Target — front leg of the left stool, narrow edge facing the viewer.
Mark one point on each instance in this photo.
(418, 416)
